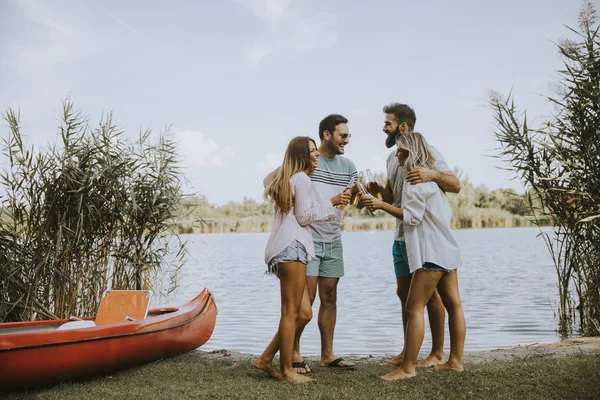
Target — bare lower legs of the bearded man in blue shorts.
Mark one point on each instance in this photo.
(437, 316)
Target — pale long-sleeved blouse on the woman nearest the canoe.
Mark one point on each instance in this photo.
(308, 208)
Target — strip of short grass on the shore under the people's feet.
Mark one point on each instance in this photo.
(199, 375)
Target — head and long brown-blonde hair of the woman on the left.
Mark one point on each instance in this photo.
(296, 159)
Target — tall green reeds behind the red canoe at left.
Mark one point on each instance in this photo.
(92, 213)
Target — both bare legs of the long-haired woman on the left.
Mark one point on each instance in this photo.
(292, 277)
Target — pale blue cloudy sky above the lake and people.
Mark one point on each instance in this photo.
(237, 79)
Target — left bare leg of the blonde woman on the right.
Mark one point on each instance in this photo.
(422, 287)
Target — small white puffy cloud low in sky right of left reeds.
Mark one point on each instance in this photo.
(200, 151)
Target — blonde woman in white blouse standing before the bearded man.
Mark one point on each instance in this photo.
(433, 256)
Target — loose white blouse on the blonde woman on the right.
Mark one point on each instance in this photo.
(427, 233)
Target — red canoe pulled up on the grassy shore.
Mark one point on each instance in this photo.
(37, 352)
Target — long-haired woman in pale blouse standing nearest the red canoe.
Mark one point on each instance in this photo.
(290, 247)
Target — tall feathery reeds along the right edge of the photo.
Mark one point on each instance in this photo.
(559, 164)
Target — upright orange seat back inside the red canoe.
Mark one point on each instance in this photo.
(118, 306)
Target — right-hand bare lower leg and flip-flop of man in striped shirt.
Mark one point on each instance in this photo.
(327, 318)
